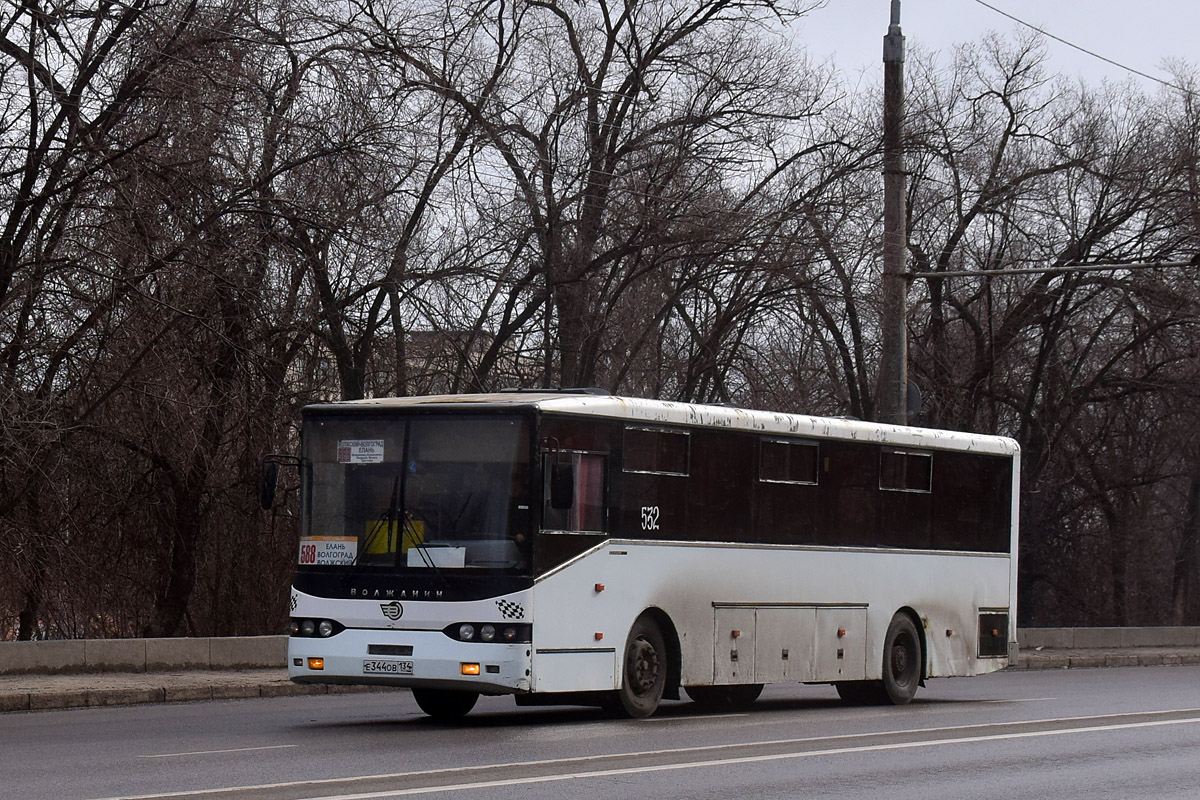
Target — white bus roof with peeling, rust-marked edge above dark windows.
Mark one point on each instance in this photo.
(653, 412)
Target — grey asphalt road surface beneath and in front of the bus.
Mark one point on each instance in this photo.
(1082, 733)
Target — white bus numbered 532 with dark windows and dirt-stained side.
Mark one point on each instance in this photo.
(577, 548)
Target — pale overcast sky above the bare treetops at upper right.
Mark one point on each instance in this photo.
(1136, 33)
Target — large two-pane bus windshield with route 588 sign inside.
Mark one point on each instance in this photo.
(416, 494)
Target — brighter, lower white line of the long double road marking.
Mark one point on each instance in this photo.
(743, 760)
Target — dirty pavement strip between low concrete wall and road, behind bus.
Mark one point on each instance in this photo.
(39, 691)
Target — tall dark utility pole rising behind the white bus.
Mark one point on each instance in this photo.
(893, 381)
